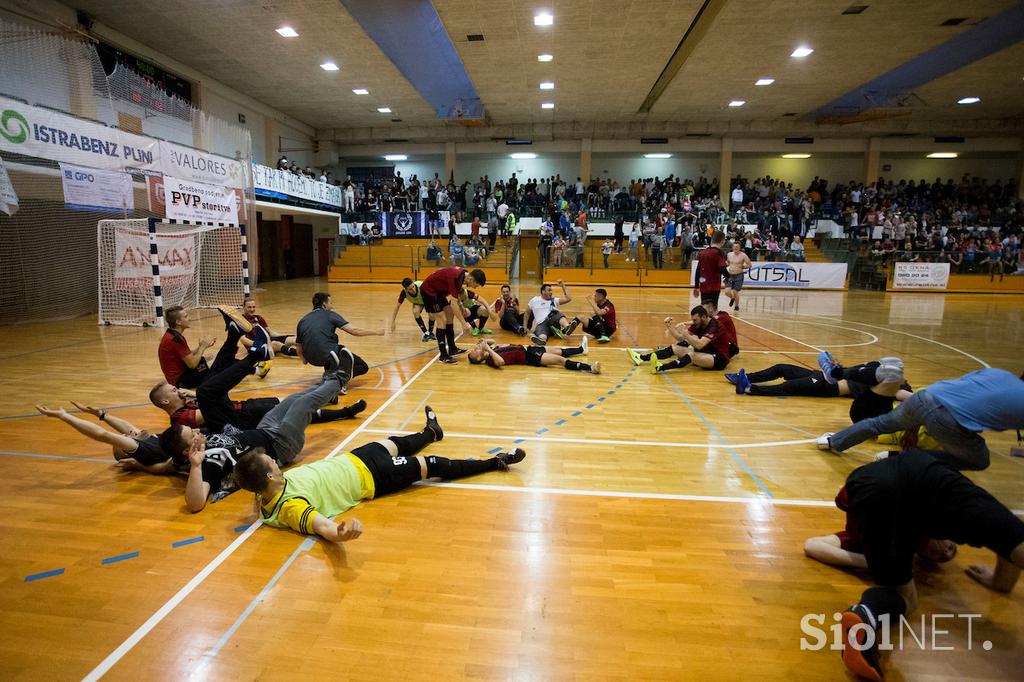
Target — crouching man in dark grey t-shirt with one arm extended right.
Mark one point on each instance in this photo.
(317, 342)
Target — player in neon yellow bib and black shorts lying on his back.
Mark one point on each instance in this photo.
(308, 498)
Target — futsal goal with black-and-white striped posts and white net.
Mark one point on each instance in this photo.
(149, 266)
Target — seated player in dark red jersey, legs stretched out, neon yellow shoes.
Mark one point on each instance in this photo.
(705, 344)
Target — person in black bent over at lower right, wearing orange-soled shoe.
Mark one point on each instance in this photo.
(894, 505)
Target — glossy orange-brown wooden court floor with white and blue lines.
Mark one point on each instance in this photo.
(655, 531)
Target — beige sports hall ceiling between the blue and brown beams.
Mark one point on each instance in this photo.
(608, 56)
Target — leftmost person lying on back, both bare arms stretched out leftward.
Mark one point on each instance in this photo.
(134, 448)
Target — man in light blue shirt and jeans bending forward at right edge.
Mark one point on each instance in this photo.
(954, 412)
